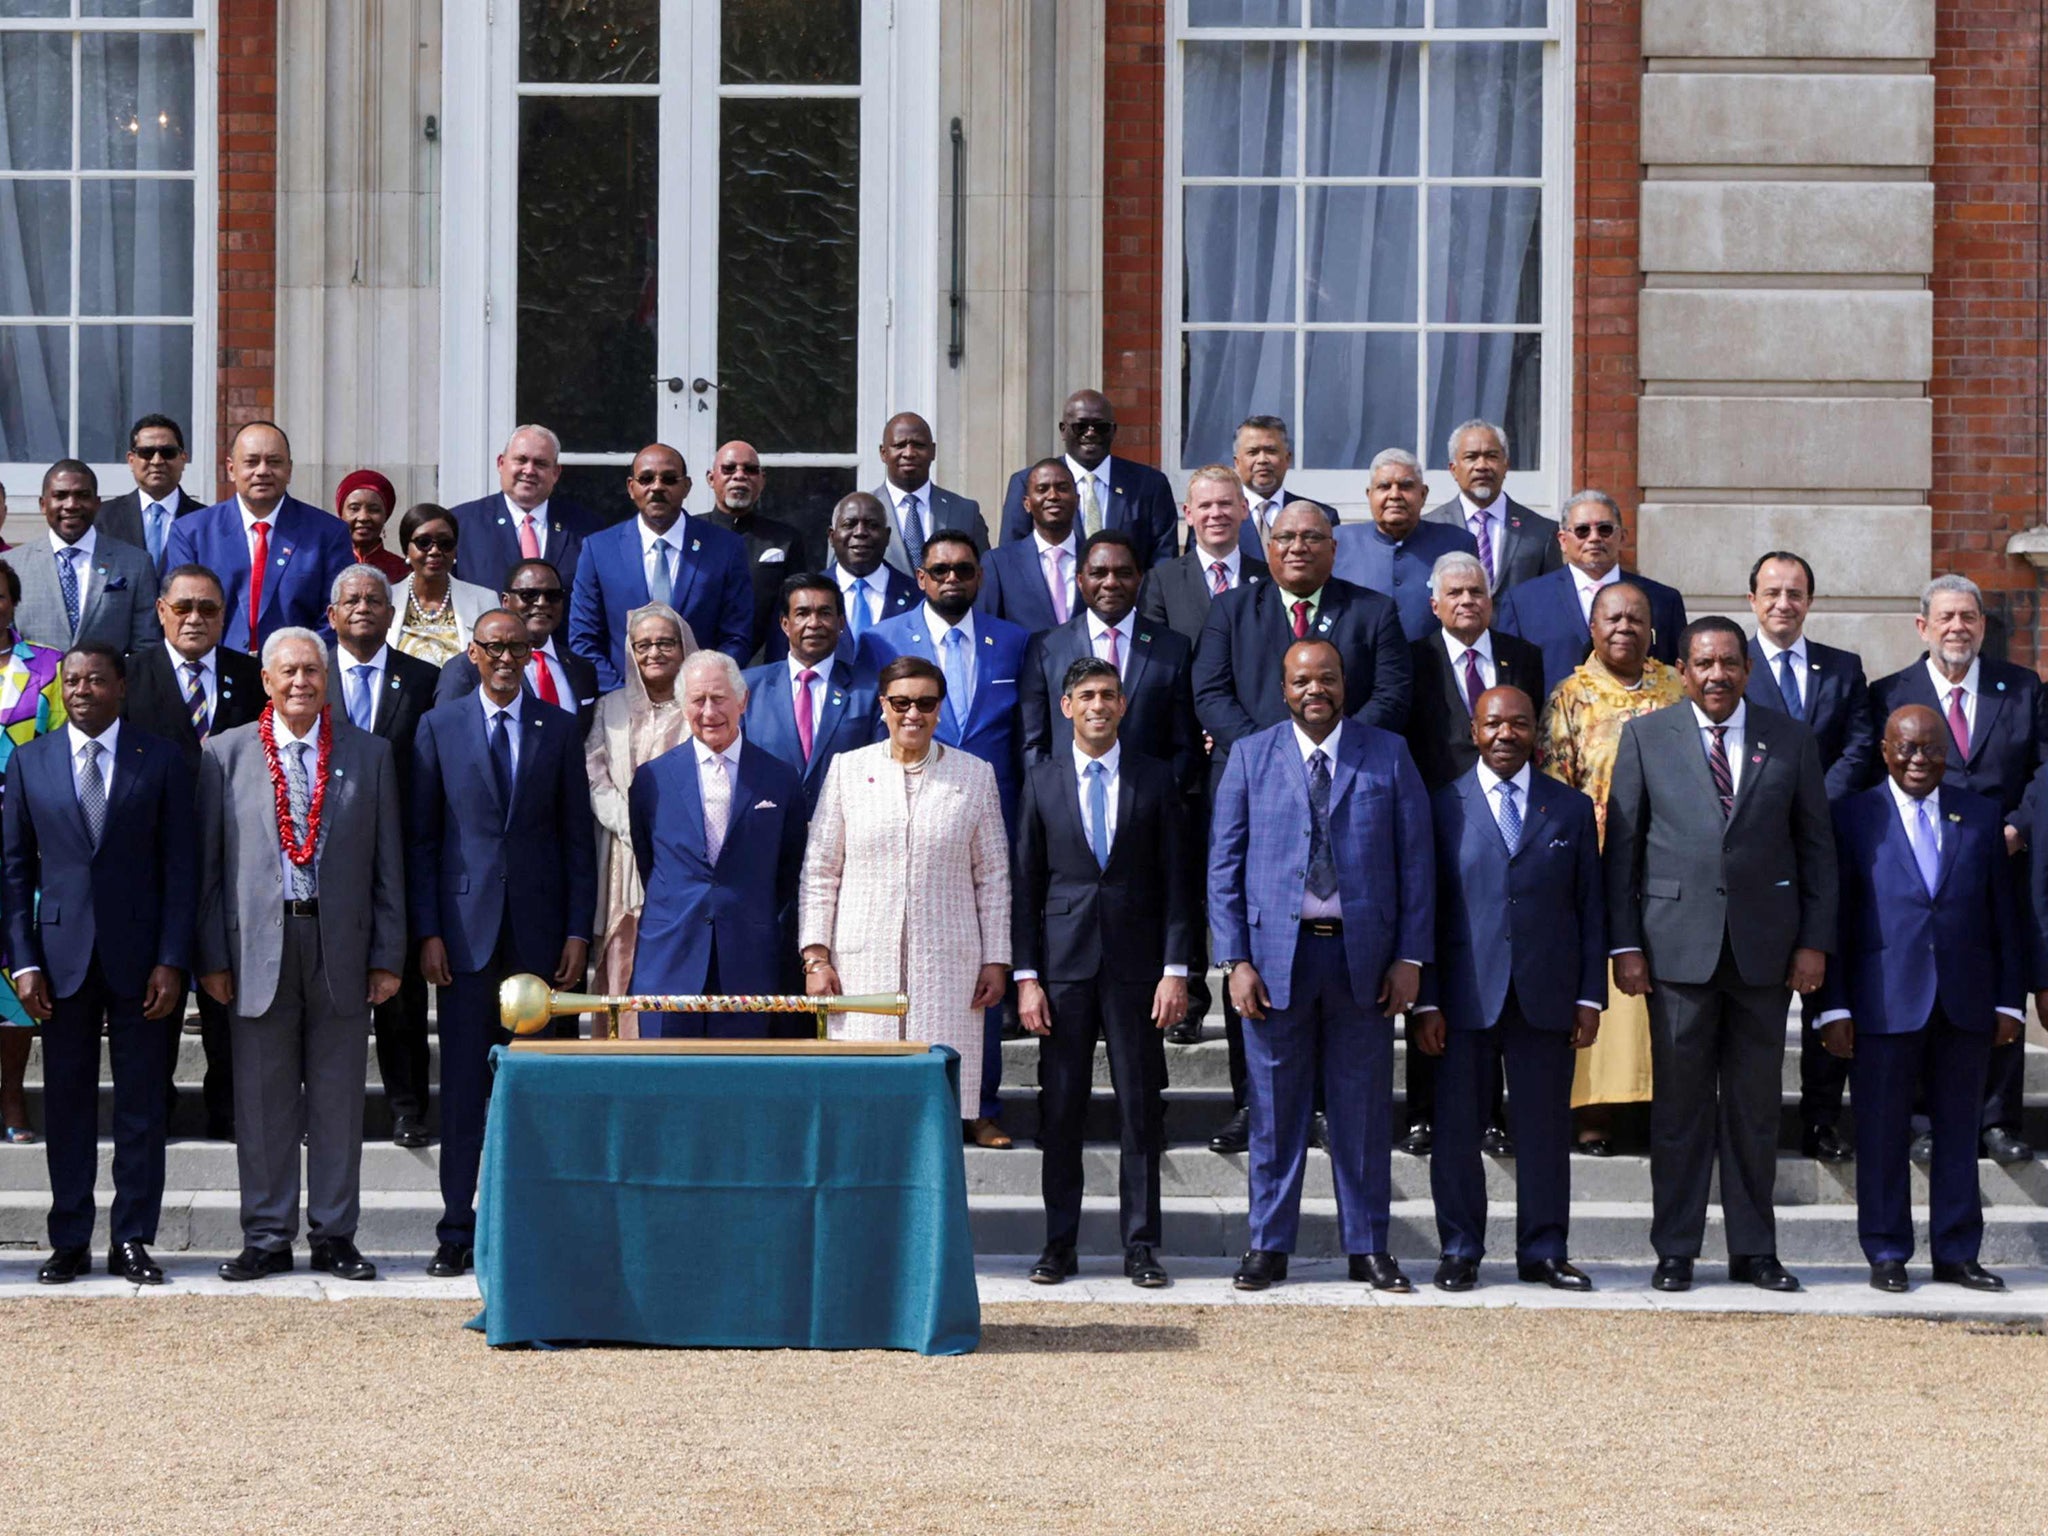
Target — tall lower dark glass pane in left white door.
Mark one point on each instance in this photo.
(587, 269)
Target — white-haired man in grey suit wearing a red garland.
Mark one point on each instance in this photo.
(302, 931)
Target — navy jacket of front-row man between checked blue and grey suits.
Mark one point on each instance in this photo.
(1533, 921)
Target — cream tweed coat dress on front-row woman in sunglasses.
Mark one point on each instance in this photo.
(908, 884)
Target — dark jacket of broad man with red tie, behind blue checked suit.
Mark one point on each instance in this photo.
(1250, 630)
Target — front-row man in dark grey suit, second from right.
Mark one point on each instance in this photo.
(1721, 904)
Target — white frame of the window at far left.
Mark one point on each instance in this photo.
(26, 480)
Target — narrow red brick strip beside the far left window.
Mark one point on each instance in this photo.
(249, 218)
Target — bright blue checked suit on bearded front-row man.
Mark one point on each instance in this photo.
(1322, 988)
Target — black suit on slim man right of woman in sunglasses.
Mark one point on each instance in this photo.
(1101, 937)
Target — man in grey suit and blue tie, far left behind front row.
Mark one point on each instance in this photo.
(77, 585)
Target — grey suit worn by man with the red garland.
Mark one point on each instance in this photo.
(302, 1013)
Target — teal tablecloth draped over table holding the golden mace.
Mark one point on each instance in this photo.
(728, 1201)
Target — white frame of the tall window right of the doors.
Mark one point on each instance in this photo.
(1347, 488)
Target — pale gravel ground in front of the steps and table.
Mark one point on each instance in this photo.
(226, 1416)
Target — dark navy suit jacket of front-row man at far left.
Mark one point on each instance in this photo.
(128, 902)
